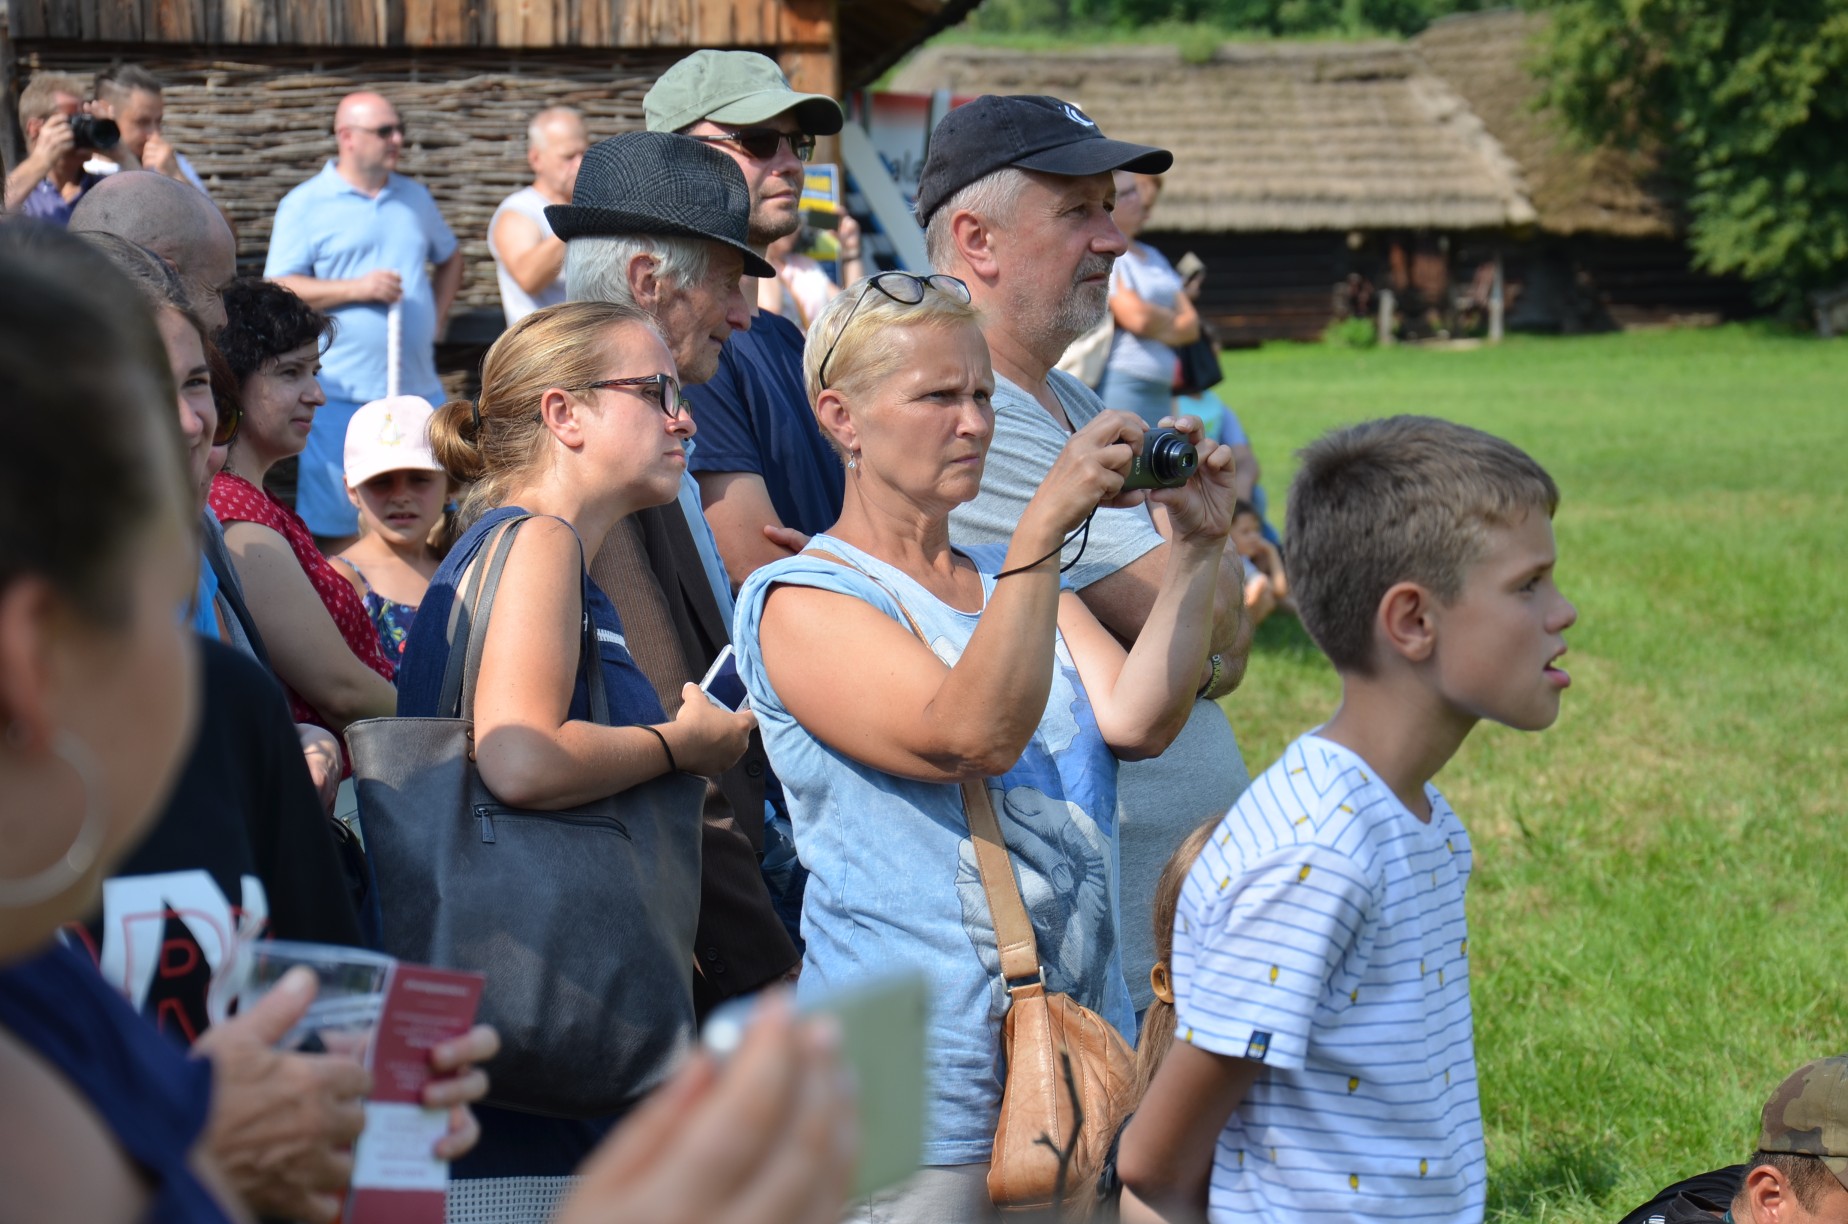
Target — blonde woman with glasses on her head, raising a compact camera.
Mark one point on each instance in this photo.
(873, 729)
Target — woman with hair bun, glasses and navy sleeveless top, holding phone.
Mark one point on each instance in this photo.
(579, 424)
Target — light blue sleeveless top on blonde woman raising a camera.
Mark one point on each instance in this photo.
(894, 874)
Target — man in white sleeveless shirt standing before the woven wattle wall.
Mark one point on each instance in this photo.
(528, 256)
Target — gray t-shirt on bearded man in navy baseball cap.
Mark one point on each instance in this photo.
(1200, 776)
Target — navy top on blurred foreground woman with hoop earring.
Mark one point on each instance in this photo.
(149, 1094)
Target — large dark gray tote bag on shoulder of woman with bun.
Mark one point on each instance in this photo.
(581, 920)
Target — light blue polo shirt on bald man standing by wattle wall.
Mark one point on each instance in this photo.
(332, 230)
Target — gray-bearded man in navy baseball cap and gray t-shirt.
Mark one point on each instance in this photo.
(1015, 199)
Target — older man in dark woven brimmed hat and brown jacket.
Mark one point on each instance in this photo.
(663, 223)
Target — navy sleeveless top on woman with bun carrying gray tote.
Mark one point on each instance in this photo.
(420, 676)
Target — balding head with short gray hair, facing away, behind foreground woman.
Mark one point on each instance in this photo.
(173, 221)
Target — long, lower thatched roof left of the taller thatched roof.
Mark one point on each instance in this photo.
(1274, 138)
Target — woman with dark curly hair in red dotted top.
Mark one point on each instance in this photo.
(322, 644)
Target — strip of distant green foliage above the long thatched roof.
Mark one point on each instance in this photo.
(1267, 18)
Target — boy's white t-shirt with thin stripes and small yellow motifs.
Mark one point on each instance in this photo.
(1322, 933)
